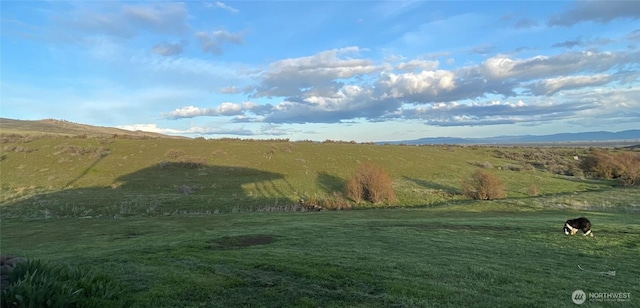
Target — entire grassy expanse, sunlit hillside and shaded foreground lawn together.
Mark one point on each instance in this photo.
(219, 234)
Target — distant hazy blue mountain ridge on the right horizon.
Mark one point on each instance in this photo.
(601, 136)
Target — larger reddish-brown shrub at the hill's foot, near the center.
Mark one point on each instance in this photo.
(370, 183)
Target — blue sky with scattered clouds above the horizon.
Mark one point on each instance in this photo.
(317, 70)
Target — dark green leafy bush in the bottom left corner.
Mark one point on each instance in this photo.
(38, 284)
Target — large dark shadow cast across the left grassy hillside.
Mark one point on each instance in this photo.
(167, 188)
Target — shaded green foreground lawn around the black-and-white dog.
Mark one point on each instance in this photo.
(472, 254)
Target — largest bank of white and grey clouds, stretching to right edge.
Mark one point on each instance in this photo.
(329, 88)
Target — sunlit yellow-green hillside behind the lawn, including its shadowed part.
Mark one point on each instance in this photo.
(60, 177)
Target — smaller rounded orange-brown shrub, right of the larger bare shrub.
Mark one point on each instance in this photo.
(483, 186)
